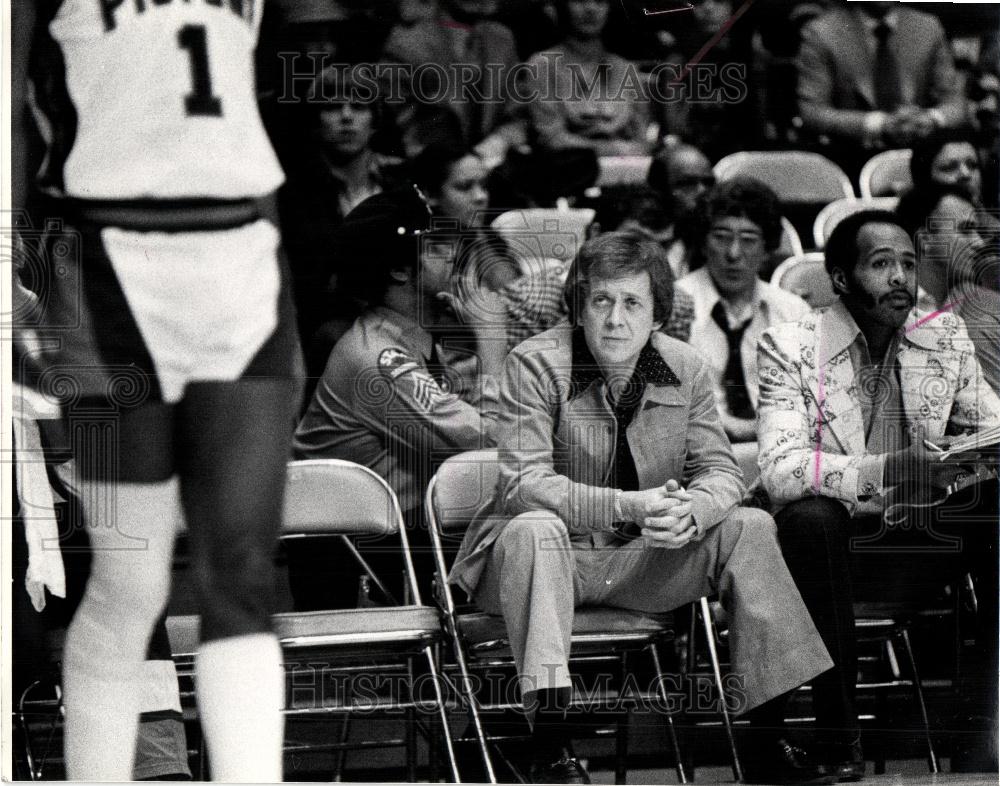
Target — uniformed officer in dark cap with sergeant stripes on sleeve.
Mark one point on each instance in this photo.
(385, 398)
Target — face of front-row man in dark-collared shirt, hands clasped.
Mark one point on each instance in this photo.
(617, 319)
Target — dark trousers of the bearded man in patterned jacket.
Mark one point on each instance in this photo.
(836, 560)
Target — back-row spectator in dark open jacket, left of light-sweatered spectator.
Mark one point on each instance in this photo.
(440, 109)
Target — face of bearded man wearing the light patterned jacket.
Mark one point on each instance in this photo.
(884, 281)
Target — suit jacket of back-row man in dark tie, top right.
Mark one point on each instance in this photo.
(837, 71)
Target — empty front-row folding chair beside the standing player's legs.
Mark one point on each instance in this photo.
(329, 497)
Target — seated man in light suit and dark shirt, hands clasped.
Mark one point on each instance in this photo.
(619, 488)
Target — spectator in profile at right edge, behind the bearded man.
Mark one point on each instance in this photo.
(958, 262)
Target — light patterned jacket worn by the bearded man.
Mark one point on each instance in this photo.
(811, 429)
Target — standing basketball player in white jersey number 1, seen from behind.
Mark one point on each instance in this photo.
(179, 367)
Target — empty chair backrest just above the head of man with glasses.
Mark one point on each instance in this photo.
(795, 176)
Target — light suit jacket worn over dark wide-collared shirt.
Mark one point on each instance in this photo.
(557, 433)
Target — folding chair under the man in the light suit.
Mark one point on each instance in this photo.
(462, 485)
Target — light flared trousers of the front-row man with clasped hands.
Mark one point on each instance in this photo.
(536, 575)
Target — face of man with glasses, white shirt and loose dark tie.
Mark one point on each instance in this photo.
(734, 253)
